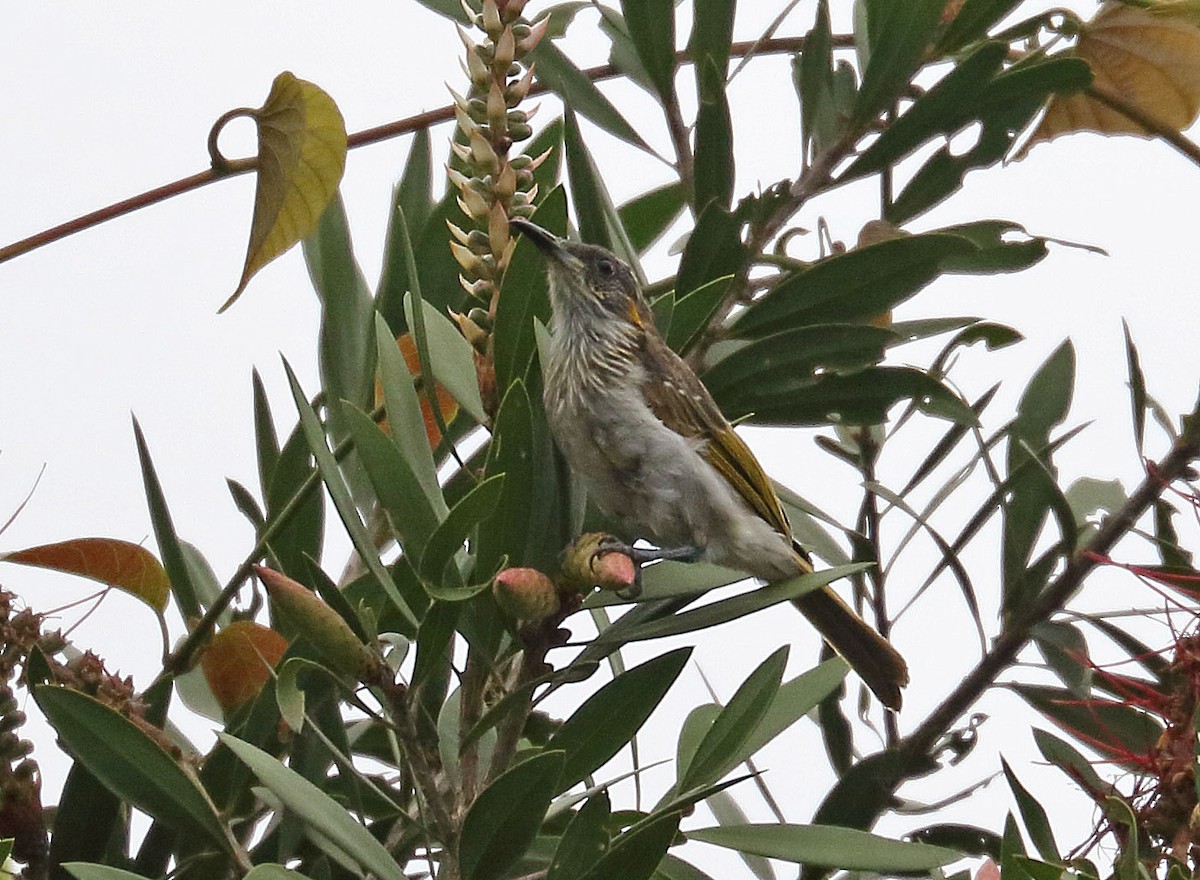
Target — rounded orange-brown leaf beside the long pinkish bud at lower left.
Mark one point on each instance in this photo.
(238, 661)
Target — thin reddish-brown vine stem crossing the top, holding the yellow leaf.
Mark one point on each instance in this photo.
(363, 139)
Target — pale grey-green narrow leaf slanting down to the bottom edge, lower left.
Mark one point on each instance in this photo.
(317, 810)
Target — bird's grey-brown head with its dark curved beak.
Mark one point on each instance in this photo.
(587, 283)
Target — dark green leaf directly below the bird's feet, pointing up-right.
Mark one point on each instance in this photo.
(609, 720)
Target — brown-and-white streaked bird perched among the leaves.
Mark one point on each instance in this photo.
(637, 424)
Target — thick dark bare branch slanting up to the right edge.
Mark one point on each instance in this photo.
(1019, 632)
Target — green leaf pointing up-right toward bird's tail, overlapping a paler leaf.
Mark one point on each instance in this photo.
(723, 745)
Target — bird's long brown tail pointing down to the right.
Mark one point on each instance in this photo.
(871, 655)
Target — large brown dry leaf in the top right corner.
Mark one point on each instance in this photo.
(1149, 57)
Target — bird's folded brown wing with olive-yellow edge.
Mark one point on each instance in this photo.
(681, 402)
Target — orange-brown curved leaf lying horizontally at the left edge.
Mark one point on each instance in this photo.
(129, 567)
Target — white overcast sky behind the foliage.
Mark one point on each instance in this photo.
(106, 100)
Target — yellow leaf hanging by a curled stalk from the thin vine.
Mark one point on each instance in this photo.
(302, 155)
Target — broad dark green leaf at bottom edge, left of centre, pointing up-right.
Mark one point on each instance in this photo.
(506, 818)
